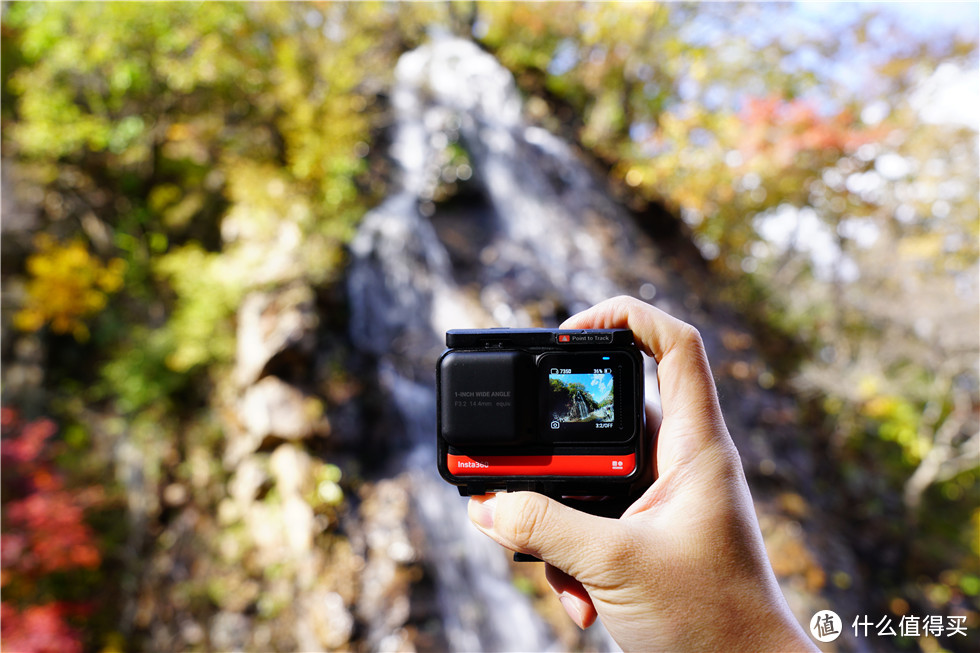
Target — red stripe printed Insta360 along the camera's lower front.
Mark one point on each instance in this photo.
(594, 465)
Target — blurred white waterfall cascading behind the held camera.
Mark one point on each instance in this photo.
(543, 238)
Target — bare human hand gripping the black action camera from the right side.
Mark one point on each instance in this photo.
(685, 566)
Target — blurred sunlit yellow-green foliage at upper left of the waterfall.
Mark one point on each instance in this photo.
(197, 136)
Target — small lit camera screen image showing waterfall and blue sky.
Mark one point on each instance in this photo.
(581, 398)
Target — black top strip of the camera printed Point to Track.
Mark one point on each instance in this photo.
(537, 337)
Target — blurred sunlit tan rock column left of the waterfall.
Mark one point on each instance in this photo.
(300, 554)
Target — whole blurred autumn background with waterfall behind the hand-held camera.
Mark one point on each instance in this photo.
(232, 235)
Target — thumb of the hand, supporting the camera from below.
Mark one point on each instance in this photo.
(533, 523)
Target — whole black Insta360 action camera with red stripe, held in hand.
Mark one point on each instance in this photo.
(554, 411)
